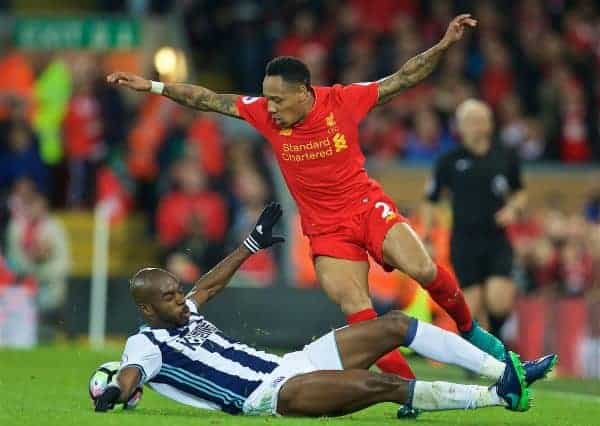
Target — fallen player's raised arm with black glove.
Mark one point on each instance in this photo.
(260, 238)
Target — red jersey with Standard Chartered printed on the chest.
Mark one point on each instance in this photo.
(320, 157)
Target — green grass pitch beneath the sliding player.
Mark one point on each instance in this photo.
(48, 386)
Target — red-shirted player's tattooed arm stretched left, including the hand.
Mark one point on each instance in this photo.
(196, 97)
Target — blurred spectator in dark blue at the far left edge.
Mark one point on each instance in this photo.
(20, 156)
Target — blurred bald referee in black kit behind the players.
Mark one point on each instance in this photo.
(486, 192)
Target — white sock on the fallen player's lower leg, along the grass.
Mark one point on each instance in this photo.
(432, 396)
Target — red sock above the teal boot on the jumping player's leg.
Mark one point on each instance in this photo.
(445, 291)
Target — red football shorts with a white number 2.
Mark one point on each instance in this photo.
(360, 234)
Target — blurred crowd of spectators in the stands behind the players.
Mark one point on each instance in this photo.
(69, 141)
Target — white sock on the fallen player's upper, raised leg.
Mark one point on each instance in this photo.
(443, 346)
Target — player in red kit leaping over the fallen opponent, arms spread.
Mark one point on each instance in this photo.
(345, 214)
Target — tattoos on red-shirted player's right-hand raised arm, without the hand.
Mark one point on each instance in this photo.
(412, 72)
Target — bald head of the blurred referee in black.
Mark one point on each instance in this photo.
(475, 124)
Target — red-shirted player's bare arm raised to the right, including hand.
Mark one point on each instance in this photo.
(419, 67)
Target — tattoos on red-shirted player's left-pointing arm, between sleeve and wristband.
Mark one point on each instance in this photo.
(202, 99)
